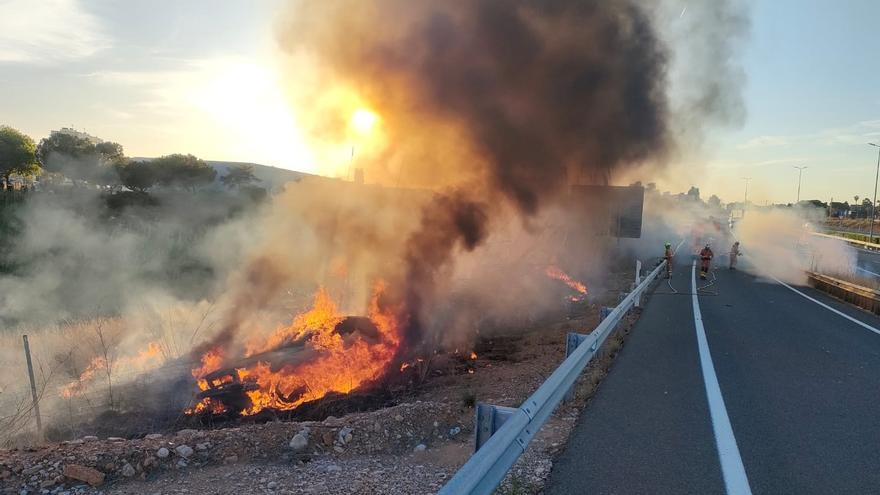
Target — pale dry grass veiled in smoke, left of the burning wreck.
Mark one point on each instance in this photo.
(82, 368)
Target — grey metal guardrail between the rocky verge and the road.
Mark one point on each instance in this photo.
(503, 433)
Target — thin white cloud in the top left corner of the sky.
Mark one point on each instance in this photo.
(47, 31)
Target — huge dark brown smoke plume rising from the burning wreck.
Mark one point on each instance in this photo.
(543, 92)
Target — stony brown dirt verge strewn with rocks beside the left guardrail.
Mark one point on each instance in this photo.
(412, 447)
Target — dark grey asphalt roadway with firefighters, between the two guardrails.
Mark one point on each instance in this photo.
(799, 383)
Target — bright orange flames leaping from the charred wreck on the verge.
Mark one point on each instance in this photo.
(342, 363)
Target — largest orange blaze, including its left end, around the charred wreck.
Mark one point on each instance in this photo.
(342, 362)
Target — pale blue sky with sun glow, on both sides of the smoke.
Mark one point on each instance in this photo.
(202, 77)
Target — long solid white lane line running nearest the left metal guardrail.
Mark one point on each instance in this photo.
(732, 469)
